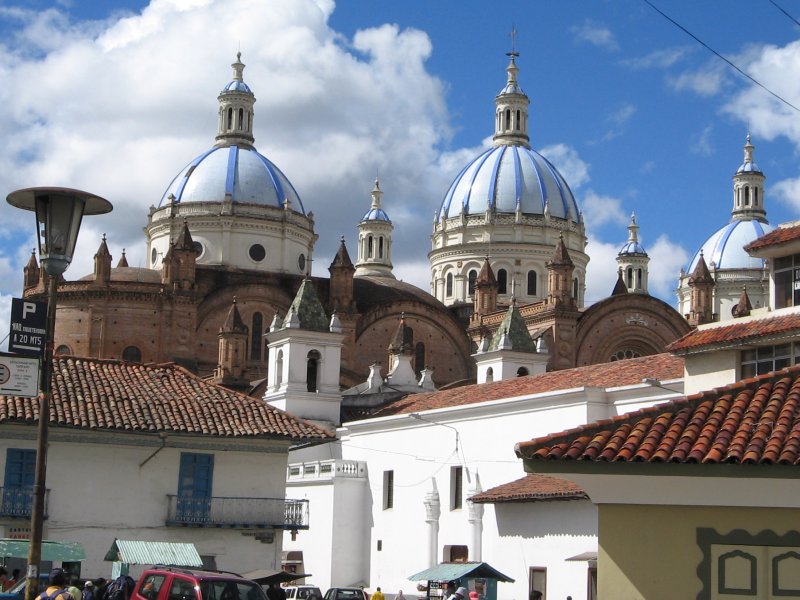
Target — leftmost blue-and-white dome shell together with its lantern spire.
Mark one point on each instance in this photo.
(233, 170)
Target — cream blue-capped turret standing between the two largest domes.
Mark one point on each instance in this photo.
(375, 240)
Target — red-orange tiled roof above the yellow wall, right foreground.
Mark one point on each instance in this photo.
(755, 421)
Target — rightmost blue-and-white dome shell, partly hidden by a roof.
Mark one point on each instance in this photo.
(725, 248)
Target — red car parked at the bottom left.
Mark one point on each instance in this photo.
(172, 583)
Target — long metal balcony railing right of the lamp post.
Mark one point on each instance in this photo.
(239, 513)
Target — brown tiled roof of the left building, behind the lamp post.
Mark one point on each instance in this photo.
(114, 395)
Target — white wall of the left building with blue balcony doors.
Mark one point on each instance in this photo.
(118, 498)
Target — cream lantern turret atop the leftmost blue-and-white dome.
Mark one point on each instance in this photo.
(236, 102)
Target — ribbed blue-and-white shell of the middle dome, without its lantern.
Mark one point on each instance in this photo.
(506, 178)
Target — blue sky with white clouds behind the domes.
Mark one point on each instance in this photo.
(115, 97)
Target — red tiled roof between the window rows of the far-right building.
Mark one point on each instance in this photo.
(737, 333)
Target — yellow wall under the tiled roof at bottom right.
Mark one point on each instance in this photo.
(651, 552)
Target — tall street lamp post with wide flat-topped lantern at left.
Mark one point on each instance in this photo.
(58, 212)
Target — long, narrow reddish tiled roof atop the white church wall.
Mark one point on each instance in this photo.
(613, 374)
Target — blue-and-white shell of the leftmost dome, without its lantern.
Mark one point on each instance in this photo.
(238, 174)
